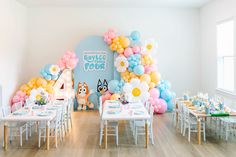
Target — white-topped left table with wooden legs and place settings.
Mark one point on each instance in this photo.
(30, 116)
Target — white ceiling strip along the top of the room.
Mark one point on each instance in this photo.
(115, 3)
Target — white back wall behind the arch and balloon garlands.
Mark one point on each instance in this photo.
(53, 30)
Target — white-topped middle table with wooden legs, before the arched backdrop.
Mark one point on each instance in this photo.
(127, 112)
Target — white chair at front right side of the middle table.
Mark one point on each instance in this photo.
(139, 127)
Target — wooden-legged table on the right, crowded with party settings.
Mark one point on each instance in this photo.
(198, 115)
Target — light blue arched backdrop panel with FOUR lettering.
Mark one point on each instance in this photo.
(96, 63)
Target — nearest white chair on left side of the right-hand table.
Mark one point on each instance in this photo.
(190, 123)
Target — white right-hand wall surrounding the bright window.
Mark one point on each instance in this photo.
(210, 14)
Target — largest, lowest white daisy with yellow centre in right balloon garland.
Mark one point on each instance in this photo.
(136, 91)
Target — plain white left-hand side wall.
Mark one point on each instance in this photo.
(13, 20)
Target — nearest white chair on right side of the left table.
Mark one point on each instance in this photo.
(54, 128)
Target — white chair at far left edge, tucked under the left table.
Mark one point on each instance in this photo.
(15, 128)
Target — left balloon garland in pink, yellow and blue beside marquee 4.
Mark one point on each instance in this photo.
(50, 73)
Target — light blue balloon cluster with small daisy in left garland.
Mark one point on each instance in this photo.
(50, 72)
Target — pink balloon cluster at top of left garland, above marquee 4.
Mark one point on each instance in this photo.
(69, 60)
